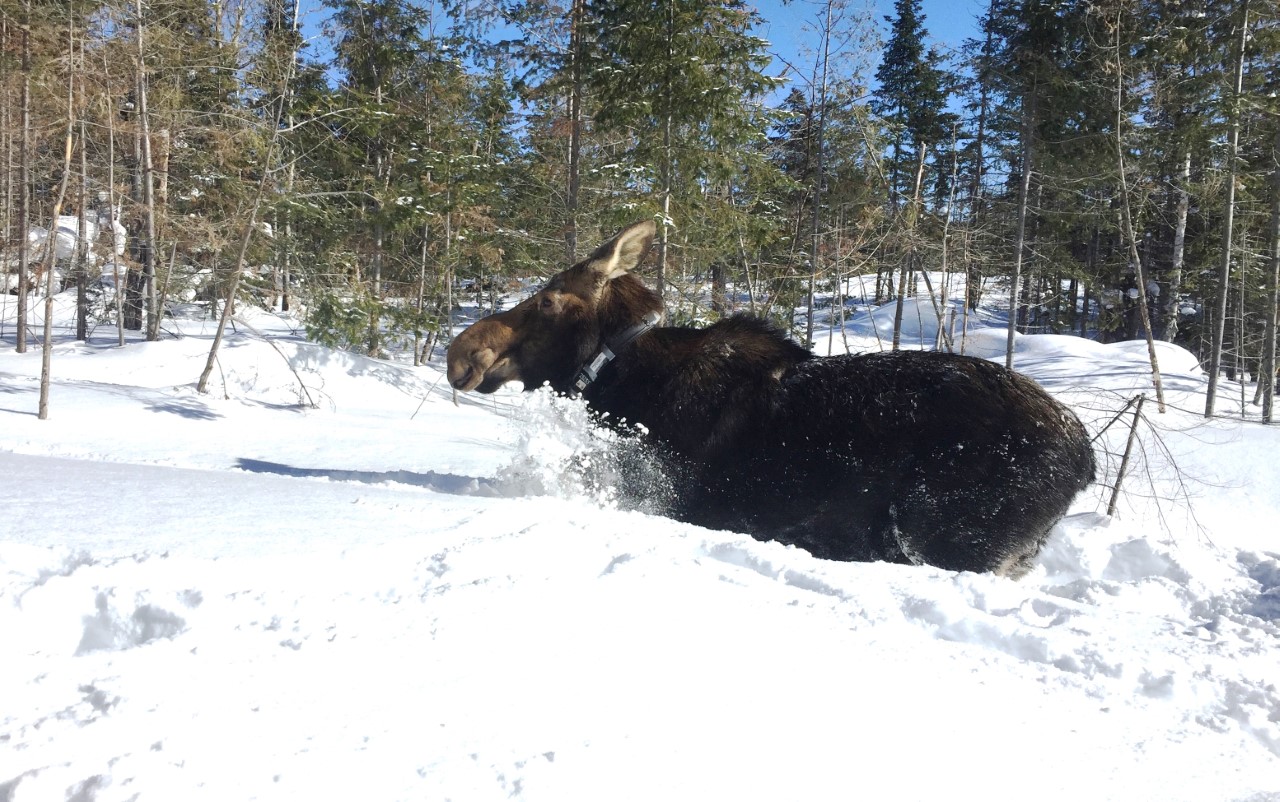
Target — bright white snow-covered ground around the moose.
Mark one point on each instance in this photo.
(388, 597)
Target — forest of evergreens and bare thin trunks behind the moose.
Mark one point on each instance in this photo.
(1113, 166)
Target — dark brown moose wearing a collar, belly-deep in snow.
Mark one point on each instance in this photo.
(904, 457)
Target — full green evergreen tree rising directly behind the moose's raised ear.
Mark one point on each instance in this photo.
(684, 81)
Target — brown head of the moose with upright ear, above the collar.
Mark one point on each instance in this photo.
(551, 336)
